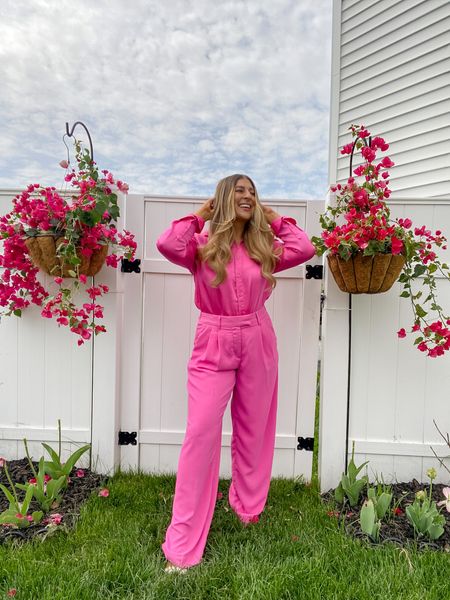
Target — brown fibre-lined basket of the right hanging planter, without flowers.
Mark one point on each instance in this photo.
(366, 274)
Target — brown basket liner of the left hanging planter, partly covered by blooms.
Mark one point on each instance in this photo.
(42, 250)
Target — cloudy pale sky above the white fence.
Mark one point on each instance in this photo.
(176, 94)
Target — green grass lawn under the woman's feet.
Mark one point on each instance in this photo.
(295, 552)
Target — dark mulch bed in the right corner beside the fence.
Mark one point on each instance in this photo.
(395, 529)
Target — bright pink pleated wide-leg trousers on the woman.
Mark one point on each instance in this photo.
(232, 356)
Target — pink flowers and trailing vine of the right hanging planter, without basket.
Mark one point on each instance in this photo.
(366, 227)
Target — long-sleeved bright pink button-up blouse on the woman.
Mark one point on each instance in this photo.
(244, 290)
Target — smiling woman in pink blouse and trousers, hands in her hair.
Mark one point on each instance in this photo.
(234, 354)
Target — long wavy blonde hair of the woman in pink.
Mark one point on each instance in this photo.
(258, 236)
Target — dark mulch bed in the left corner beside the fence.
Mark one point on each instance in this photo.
(76, 494)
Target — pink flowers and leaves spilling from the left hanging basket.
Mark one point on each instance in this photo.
(87, 224)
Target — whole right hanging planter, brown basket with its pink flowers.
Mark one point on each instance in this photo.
(367, 250)
